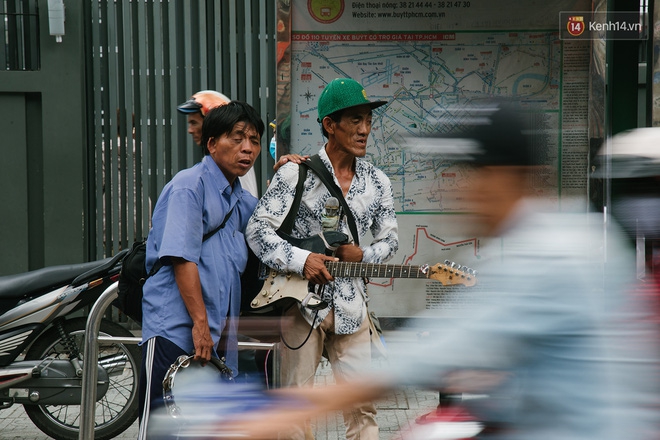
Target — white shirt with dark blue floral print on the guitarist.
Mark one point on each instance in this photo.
(371, 201)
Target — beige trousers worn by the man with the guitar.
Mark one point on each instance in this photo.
(349, 356)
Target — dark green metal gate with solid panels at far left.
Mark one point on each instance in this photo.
(42, 114)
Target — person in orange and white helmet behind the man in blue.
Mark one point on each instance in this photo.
(195, 109)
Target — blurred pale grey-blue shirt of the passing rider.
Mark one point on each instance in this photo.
(556, 313)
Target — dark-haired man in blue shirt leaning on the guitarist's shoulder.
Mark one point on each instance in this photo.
(195, 296)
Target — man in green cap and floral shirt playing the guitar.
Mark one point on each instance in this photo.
(342, 329)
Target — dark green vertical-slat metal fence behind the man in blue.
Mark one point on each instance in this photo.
(144, 58)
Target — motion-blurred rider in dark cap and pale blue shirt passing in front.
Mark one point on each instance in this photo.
(555, 339)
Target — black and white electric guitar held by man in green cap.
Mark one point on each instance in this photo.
(285, 287)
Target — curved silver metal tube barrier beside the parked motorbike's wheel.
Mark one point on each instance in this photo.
(91, 351)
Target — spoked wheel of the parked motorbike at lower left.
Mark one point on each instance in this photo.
(116, 411)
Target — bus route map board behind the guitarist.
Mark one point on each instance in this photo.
(425, 58)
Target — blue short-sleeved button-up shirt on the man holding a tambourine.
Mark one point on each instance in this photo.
(195, 202)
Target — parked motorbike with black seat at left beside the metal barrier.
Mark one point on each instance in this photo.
(41, 350)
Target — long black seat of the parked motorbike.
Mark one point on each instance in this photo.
(42, 280)
